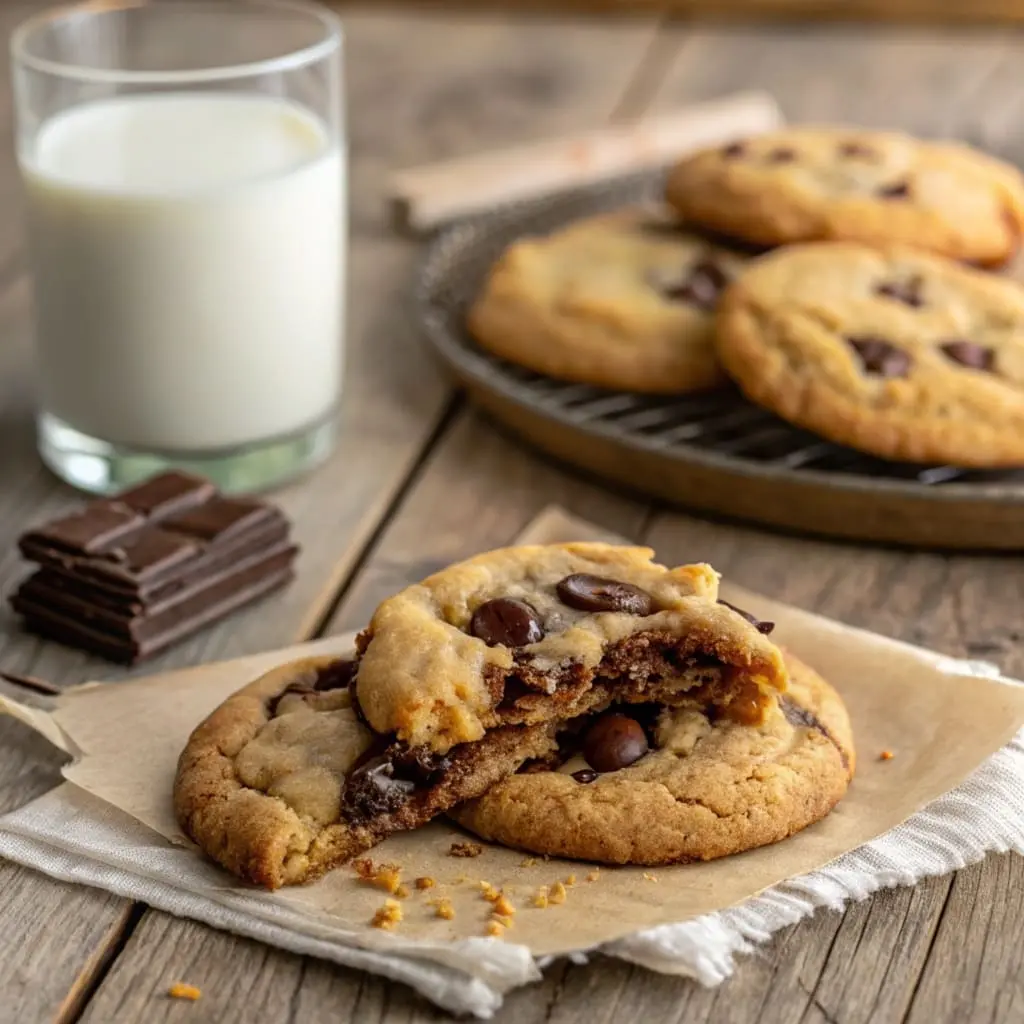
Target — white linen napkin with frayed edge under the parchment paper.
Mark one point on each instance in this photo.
(73, 836)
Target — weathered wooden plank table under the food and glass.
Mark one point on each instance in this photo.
(420, 481)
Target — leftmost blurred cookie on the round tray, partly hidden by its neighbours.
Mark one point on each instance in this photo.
(623, 301)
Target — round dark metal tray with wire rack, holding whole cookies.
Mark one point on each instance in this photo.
(713, 452)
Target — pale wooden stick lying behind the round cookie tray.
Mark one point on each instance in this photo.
(423, 198)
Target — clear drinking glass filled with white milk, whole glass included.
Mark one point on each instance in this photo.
(185, 170)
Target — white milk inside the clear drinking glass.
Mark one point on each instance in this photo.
(189, 270)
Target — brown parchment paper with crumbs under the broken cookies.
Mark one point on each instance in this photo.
(125, 740)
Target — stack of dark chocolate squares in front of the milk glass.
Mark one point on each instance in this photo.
(126, 577)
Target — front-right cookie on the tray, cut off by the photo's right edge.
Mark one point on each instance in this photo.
(895, 353)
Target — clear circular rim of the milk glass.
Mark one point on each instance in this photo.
(291, 61)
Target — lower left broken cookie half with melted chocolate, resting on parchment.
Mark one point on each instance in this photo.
(284, 782)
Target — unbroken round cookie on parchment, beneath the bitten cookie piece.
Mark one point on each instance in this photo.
(656, 786)
